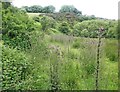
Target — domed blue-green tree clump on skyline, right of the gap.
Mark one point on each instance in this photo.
(70, 9)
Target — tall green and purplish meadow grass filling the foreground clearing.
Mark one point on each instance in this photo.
(67, 63)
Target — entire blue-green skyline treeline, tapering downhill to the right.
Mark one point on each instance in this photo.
(64, 9)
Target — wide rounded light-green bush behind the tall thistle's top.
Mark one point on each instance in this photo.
(90, 28)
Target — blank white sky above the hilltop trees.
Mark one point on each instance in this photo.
(99, 8)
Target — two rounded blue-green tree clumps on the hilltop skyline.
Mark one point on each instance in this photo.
(51, 9)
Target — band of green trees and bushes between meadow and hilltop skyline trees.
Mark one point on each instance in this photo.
(72, 26)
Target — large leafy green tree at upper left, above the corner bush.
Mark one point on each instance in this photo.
(16, 27)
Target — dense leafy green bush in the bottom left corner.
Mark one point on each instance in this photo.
(15, 68)
